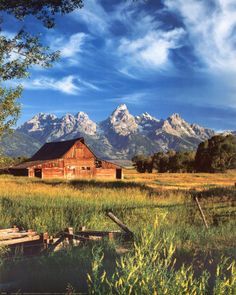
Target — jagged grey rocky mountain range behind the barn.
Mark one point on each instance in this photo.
(120, 136)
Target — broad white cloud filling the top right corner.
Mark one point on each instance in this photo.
(211, 30)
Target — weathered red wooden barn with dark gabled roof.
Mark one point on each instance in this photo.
(67, 159)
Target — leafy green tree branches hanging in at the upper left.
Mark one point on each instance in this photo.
(19, 52)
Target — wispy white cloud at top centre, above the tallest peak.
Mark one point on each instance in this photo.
(145, 46)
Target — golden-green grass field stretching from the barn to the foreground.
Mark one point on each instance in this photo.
(173, 253)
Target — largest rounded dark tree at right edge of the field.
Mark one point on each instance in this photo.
(216, 154)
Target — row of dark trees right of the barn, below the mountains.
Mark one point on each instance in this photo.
(216, 154)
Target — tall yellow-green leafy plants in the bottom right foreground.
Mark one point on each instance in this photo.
(150, 269)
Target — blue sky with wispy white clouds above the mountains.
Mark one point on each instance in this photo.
(156, 56)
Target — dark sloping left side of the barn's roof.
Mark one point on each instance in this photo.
(54, 150)
